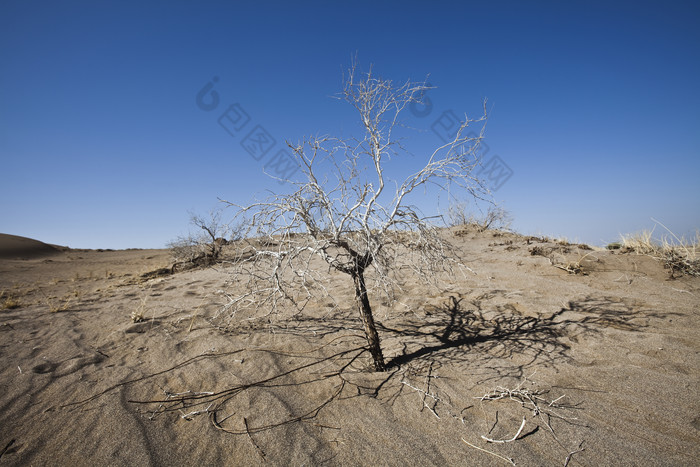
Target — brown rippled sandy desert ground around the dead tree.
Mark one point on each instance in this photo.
(602, 368)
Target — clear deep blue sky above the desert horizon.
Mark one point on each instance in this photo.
(594, 106)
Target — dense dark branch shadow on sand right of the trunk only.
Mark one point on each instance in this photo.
(470, 332)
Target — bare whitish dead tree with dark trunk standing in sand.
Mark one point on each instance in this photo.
(348, 212)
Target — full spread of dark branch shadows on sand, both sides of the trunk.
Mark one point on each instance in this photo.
(471, 332)
